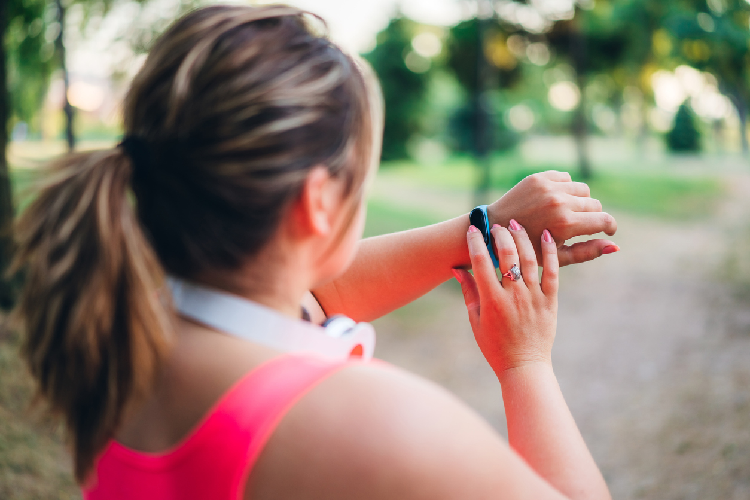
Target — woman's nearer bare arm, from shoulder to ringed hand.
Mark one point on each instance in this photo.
(375, 432)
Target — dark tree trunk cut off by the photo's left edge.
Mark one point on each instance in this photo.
(7, 289)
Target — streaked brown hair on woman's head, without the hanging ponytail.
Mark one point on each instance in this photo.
(237, 105)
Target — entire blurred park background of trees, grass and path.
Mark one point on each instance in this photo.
(646, 100)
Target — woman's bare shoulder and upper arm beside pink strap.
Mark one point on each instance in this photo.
(372, 431)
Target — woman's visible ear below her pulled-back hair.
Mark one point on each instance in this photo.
(318, 202)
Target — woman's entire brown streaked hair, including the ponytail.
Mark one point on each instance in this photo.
(234, 105)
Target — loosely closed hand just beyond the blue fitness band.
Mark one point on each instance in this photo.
(551, 200)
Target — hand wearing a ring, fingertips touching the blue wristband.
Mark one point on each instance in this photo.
(514, 322)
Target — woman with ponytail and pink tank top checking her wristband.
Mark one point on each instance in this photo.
(250, 141)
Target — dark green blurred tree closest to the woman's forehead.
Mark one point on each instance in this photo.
(404, 90)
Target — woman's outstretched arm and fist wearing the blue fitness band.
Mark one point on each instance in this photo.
(391, 270)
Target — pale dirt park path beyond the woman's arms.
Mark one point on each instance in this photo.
(652, 354)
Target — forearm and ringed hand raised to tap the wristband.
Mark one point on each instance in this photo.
(514, 323)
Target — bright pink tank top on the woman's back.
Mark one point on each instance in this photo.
(214, 460)
